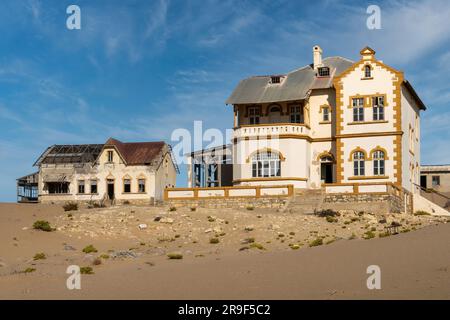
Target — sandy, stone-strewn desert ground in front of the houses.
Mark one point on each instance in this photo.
(261, 254)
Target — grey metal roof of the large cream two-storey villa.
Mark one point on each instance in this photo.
(295, 86)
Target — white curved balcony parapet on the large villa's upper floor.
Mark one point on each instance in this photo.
(272, 130)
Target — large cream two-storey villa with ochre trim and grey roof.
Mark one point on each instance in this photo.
(333, 122)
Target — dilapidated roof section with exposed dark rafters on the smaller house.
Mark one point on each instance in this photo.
(70, 154)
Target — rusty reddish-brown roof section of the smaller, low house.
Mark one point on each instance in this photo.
(137, 153)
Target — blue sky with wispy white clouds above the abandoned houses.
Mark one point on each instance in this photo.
(137, 70)
